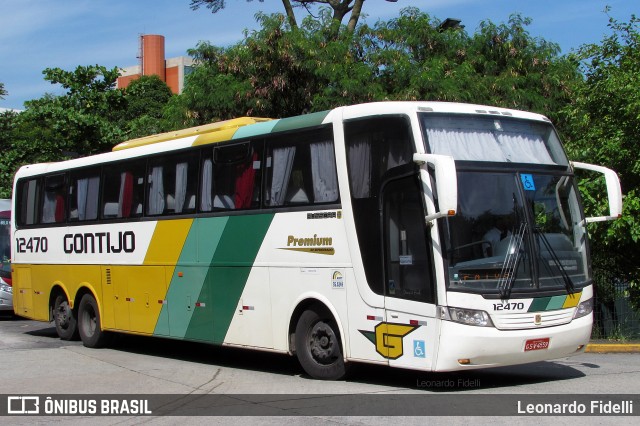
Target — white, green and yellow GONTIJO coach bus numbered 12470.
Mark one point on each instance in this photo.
(421, 235)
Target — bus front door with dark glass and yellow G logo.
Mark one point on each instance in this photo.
(411, 330)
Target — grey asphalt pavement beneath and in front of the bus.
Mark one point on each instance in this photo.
(34, 361)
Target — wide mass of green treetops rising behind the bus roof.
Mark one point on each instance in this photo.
(277, 71)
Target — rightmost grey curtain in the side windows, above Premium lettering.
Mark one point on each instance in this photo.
(323, 171)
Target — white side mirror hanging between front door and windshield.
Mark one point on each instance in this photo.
(446, 183)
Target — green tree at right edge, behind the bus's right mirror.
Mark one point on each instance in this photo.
(602, 127)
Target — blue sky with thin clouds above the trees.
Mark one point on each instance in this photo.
(39, 34)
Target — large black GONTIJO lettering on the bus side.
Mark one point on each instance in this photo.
(100, 242)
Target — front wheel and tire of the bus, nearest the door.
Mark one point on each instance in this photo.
(318, 346)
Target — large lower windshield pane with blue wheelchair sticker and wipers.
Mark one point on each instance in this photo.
(516, 231)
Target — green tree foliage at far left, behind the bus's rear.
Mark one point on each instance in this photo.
(90, 117)
